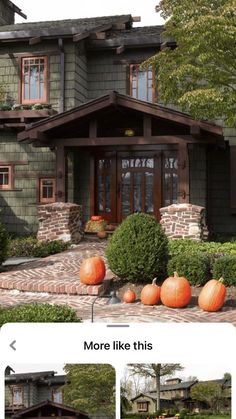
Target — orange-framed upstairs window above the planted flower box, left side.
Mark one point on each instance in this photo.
(34, 80)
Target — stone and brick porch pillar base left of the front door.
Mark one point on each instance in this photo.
(60, 221)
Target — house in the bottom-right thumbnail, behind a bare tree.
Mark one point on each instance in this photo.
(176, 393)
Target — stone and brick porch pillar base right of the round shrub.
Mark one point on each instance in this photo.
(184, 221)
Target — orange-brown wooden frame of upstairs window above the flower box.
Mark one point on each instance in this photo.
(46, 78)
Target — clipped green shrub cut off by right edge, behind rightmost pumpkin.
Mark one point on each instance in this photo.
(225, 267)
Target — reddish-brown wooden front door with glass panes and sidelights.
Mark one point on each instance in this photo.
(129, 182)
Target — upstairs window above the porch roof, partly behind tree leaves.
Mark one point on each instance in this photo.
(141, 83)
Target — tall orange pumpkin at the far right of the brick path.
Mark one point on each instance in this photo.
(212, 295)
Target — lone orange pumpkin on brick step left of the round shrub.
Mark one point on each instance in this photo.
(92, 271)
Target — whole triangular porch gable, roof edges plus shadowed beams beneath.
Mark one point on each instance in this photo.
(118, 109)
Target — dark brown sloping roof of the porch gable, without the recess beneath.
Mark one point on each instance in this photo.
(56, 126)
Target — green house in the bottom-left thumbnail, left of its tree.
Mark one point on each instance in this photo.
(26, 390)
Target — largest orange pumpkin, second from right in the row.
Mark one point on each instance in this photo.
(176, 291)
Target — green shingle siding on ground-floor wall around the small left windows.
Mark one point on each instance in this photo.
(18, 205)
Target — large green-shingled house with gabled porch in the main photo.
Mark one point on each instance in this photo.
(80, 122)
